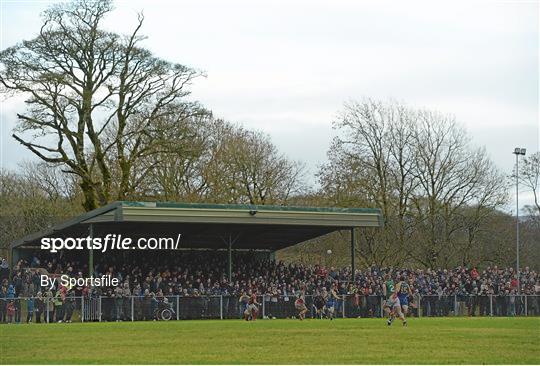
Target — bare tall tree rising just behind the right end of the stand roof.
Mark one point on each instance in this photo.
(371, 163)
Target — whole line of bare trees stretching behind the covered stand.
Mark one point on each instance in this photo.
(109, 120)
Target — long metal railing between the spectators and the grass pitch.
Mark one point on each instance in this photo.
(138, 308)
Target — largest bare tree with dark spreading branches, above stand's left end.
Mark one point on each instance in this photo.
(80, 81)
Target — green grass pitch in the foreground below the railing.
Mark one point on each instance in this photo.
(342, 341)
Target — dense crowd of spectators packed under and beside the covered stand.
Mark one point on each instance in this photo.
(201, 274)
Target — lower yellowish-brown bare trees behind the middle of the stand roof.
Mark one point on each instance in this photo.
(215, 161)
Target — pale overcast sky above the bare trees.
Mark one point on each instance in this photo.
(287, 67)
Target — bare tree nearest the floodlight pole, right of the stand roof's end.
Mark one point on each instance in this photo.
(452, 175)
